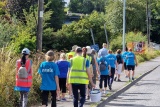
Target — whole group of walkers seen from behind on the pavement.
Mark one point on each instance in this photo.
(76, 71)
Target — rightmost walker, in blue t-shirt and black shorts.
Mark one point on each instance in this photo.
(131, 63)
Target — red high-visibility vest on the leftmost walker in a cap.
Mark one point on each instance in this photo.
(27, 82)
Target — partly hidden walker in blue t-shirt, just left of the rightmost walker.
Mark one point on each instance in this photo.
(124, 54)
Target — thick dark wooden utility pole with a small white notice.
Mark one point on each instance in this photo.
(40, 25)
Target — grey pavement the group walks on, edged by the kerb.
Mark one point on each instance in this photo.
(117, 87)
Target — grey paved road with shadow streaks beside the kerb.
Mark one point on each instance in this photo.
(144, 93)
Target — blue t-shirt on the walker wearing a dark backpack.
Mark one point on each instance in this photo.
(106, 71)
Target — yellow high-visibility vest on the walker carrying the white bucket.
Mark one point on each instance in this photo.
(78, 72)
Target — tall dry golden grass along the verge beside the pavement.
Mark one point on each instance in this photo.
(9, 97)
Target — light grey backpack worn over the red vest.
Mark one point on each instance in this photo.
(22, 72)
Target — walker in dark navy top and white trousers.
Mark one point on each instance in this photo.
(120, 64)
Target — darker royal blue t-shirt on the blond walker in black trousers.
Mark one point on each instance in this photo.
(63, 68)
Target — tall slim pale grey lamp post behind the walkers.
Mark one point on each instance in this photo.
(124, 23)
